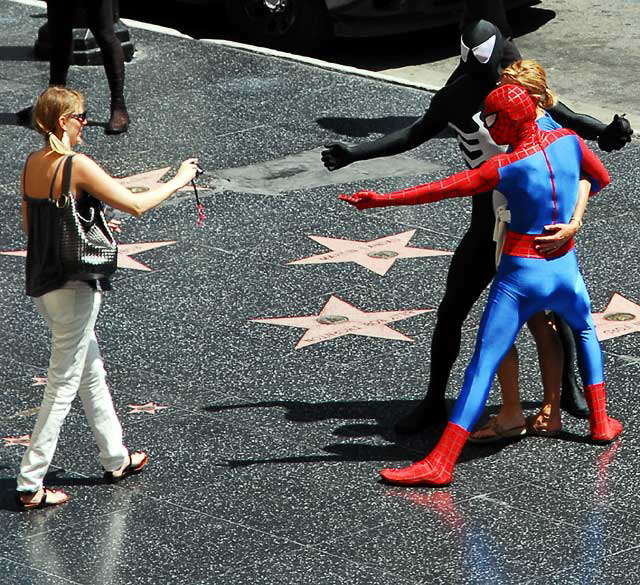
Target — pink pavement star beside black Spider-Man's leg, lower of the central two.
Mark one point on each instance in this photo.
(338, 318)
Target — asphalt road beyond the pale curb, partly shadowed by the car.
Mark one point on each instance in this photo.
(589, 47)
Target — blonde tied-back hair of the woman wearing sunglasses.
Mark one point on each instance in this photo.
(52, 103)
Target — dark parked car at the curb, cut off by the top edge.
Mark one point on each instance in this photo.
(295, 23)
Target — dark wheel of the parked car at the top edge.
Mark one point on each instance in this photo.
(282, 24)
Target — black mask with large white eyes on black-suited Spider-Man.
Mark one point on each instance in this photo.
(481, 47)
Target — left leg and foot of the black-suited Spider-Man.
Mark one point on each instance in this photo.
(471, 270)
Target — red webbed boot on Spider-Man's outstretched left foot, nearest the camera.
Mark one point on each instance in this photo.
(435, 469)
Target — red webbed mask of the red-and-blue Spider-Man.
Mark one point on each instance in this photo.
(508, 113)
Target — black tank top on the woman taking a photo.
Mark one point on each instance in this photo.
(43, 268)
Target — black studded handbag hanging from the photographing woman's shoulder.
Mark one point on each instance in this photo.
(88, 250)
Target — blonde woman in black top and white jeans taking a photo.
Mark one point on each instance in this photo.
(70, 307)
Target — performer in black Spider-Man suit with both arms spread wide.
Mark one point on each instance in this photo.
(484, 50)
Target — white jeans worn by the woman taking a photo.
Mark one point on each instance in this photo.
(75, 367)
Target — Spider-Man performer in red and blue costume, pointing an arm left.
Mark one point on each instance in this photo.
(539, 178)
